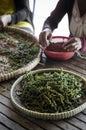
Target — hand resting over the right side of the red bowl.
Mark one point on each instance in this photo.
(74, 44)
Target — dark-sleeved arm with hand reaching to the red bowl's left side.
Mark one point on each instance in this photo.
(52, 22)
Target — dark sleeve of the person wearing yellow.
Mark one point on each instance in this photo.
(23, 12)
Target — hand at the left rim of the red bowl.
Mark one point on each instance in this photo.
(45, 37)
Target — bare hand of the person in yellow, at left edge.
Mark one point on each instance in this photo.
(4, 20)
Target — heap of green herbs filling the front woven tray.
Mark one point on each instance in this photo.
(52, 91)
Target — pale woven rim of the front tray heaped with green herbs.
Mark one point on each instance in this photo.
(45, 116)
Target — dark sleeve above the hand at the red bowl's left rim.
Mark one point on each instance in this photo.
(56, 15)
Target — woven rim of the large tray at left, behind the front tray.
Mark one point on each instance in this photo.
(27, 67)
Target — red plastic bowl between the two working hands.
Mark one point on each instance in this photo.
(58, 55)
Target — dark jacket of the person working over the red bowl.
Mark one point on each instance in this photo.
(63, 7)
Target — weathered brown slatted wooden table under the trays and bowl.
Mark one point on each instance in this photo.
(11, 119)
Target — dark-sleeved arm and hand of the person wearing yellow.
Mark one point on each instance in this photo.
(22, 13)
